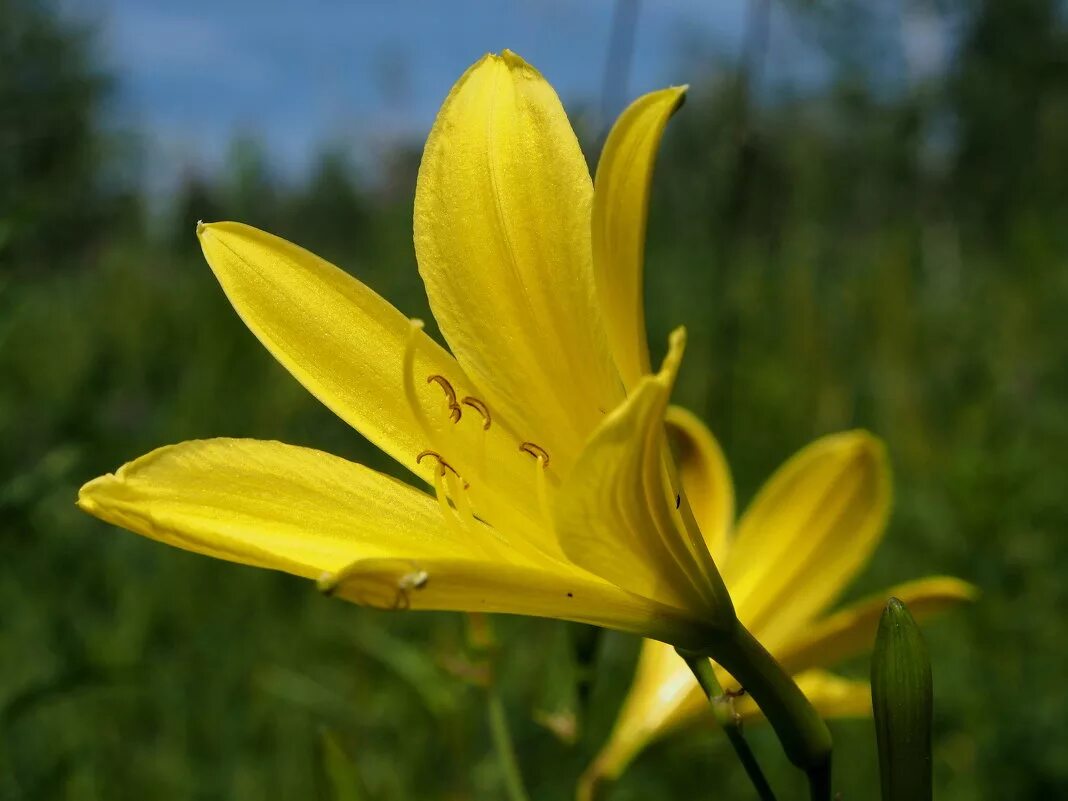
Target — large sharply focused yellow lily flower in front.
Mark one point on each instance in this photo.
(542, 432)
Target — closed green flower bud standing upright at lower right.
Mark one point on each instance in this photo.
(902, 701)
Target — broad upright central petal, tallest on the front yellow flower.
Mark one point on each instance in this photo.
(502, 237)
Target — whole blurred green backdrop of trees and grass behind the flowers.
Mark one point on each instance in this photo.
(849, 255)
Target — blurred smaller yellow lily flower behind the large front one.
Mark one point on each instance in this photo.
(807, 535)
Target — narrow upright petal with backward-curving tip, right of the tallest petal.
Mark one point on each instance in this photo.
(621, 207)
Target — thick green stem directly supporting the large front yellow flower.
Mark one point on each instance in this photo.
(803, 733)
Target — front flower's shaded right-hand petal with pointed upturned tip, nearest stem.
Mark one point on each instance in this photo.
(617, 514)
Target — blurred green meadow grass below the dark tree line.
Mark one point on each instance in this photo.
(132, 670)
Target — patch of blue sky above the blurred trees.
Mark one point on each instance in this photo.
(195, 74)
